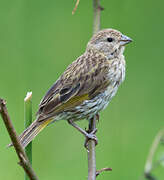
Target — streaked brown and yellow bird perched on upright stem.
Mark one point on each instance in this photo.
(86, 87)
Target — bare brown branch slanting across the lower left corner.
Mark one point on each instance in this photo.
(24, 162)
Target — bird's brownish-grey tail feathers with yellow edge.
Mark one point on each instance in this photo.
(33, 130)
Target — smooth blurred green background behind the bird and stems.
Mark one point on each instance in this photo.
(38, 39)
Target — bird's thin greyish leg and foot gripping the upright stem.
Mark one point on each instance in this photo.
(88, 135)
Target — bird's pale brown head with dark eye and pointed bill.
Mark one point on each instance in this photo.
(110, 42)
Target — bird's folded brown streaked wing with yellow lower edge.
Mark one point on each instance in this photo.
(82, 80)
